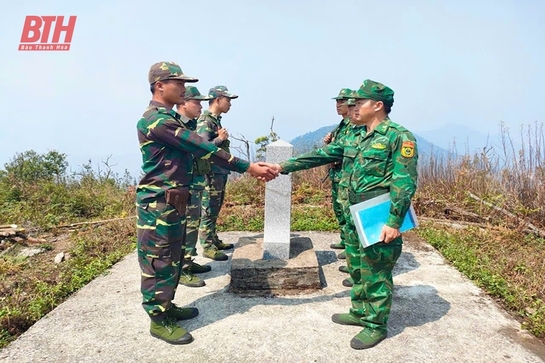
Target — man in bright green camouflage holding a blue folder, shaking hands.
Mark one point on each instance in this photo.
(379, 158)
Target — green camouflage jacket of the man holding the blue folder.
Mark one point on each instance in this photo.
(385, 160)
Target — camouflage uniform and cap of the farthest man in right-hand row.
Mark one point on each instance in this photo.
(337, 136)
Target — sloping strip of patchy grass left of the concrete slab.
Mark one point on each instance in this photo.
(31, 287)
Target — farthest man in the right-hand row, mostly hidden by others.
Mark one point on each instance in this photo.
(337, 135)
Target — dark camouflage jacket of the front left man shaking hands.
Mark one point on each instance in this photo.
(168, 149)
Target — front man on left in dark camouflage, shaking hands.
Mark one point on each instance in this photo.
(162, 194)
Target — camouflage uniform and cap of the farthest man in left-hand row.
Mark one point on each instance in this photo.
(213, 195)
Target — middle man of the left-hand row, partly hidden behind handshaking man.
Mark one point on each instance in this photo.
(190, 110)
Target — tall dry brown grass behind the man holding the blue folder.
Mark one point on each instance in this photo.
(511, 180)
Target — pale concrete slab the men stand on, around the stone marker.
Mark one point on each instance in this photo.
(437, 315)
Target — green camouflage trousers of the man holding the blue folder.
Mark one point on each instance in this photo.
(371, 269)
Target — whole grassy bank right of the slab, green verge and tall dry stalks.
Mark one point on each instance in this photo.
(501, 255)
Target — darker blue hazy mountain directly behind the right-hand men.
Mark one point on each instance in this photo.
(313, 139)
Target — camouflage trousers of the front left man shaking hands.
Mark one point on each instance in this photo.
(160, 235)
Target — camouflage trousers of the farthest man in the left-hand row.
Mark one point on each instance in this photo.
(212, 200)
